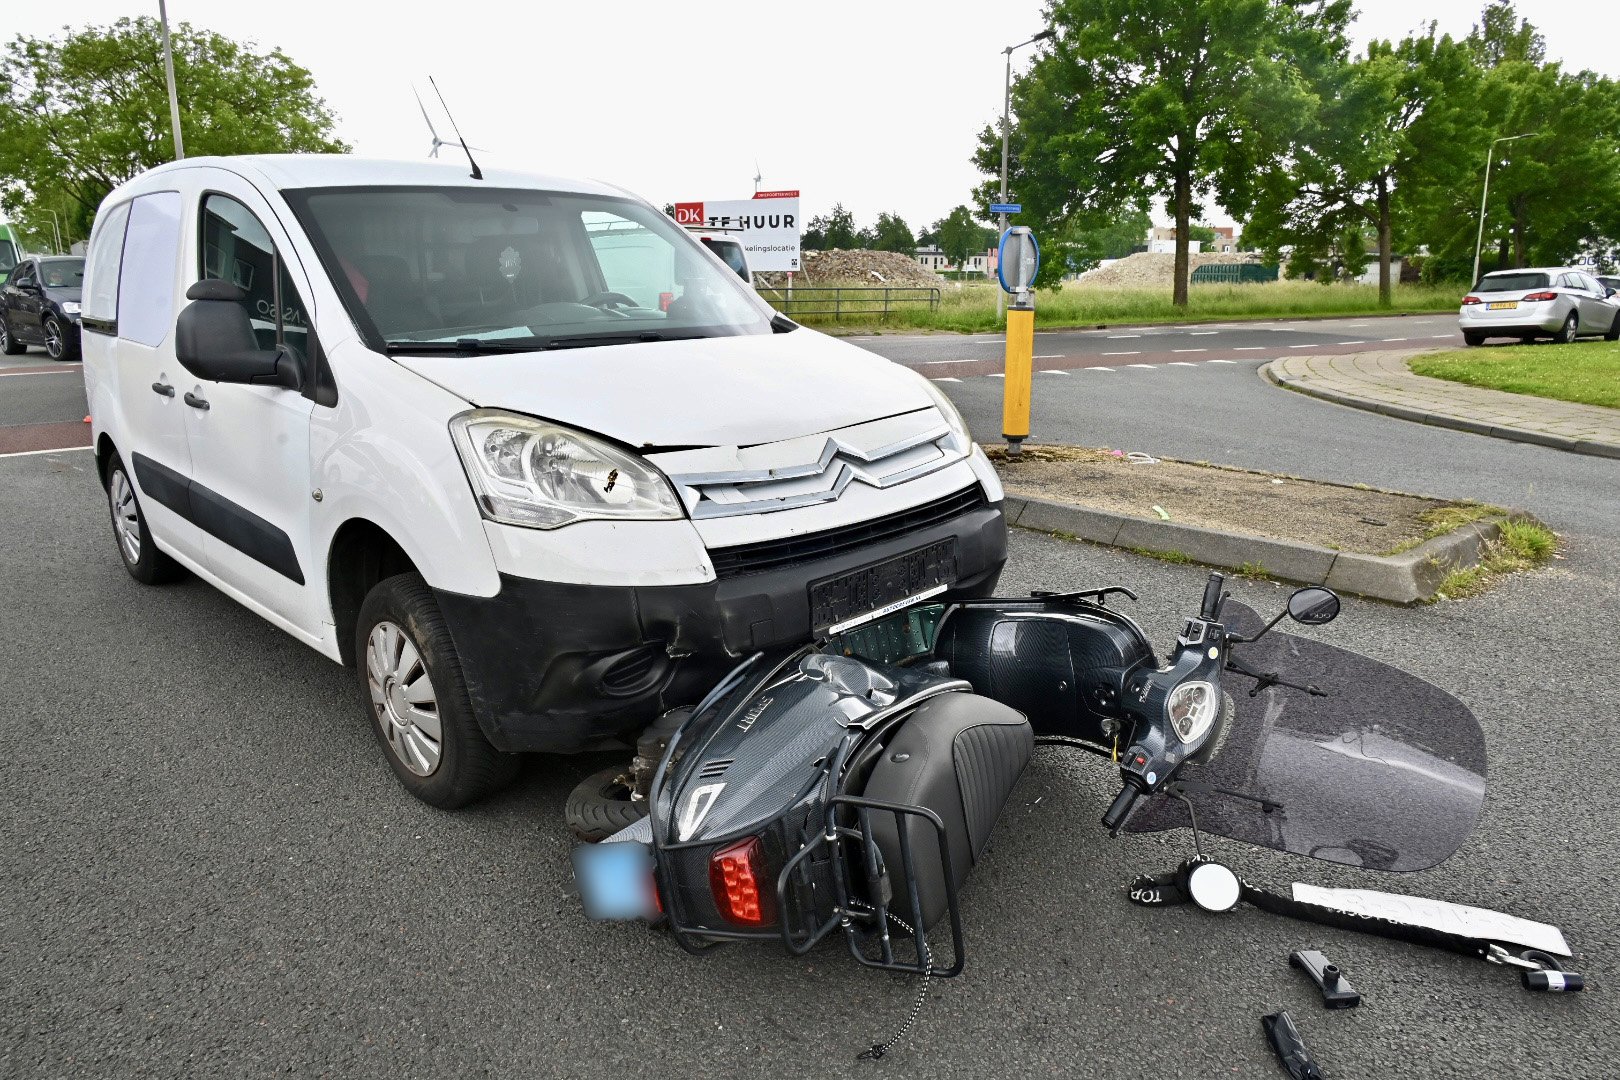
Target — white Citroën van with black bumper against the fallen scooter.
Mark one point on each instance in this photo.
(414, 420)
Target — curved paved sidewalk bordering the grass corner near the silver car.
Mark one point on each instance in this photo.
(1381, 383)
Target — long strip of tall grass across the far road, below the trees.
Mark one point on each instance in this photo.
(973, 308)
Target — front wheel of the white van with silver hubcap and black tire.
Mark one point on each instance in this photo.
(414, 650)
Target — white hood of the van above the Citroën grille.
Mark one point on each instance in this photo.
(718, 391)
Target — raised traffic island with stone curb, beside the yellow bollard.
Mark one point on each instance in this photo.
(1352, 538)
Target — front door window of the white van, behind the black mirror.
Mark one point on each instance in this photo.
(237, 249)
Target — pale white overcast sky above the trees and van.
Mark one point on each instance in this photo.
(871, 103)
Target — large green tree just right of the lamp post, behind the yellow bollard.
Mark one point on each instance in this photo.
(1159, 98)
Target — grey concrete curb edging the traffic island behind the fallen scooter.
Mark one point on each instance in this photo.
(1405, 579)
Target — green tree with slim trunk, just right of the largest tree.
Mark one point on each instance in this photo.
(1399, 117)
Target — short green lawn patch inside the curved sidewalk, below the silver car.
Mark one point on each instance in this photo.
(1585, 372)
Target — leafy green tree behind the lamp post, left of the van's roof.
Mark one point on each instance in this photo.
(83, 114)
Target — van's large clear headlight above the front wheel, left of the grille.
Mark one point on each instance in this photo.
(527, 472)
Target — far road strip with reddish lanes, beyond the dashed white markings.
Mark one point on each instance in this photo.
(960, 357)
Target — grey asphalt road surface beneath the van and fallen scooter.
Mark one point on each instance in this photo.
(210, 870)
